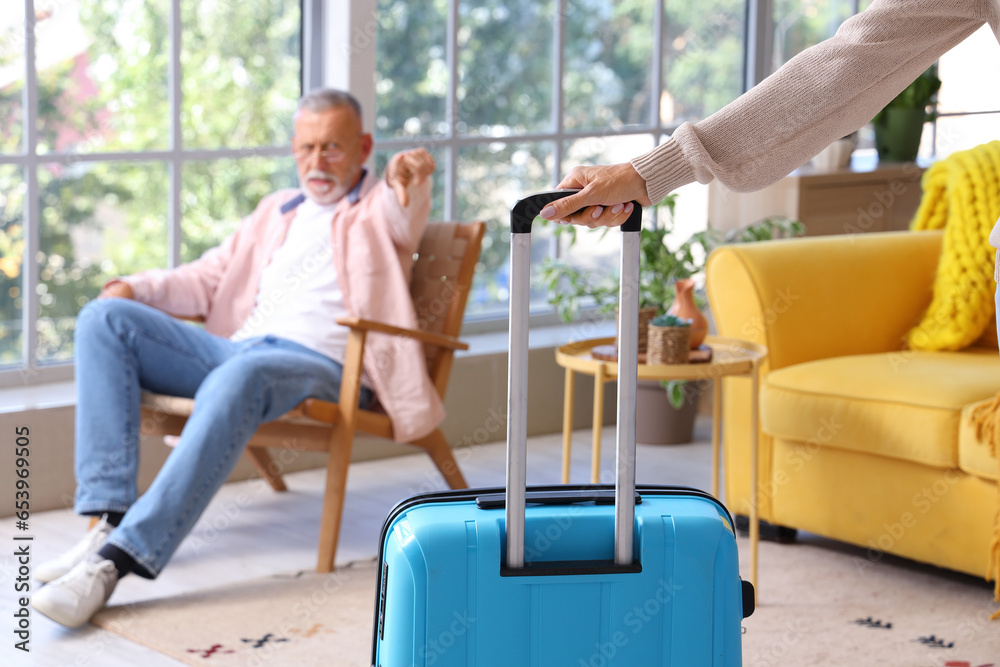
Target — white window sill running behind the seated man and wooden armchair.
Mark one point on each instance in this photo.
(50, 395)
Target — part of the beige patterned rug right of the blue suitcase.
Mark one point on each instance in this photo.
(825, 603)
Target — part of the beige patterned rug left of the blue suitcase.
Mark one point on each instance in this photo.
(300, 619)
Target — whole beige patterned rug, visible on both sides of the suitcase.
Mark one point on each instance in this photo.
(820, 603)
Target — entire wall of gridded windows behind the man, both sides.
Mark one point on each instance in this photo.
(137, 133)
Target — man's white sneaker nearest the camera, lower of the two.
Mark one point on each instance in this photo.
(74, 598)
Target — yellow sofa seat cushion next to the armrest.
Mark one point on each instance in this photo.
(905, 405)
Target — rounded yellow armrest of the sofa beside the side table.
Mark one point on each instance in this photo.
(819, 297)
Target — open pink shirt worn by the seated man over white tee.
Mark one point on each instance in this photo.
(373, 244)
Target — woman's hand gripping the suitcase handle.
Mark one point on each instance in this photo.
(605, 197)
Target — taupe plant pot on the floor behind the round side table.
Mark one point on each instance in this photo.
(660, 423)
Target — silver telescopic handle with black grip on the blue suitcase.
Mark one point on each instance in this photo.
(522, 215)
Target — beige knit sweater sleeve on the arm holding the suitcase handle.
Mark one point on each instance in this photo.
(820, 95)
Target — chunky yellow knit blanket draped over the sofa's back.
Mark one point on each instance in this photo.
(962, 196)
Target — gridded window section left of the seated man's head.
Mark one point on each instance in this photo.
(137, 134)
